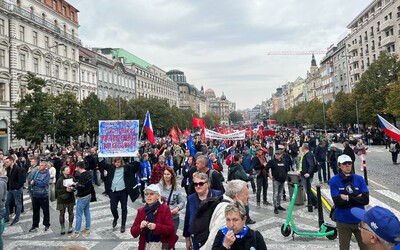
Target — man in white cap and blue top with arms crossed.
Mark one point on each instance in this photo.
(348, 191)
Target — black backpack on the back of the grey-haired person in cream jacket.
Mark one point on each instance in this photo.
(201, 222)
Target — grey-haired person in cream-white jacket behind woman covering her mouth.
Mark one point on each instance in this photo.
(236, 190)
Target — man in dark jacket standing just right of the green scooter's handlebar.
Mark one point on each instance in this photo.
(307, 172)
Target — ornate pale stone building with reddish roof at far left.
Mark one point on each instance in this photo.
(40, 37)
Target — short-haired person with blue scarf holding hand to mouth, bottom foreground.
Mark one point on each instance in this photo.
(236, 235)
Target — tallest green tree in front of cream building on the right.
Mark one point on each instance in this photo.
(373, 87)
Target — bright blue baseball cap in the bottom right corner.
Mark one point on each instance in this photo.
(381, 220)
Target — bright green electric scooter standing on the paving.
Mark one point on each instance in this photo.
(325, 230)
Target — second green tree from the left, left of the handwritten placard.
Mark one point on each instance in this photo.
(68, 117)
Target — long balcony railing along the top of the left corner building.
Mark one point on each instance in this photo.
(38, 20)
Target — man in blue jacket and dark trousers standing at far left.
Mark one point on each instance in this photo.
(40, 197)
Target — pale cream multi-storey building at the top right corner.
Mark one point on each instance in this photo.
(374, 30)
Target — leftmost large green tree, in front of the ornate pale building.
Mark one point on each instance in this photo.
(35, 119)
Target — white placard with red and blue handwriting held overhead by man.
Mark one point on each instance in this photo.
(118, 138)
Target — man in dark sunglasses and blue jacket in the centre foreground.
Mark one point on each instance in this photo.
(202, 192)
